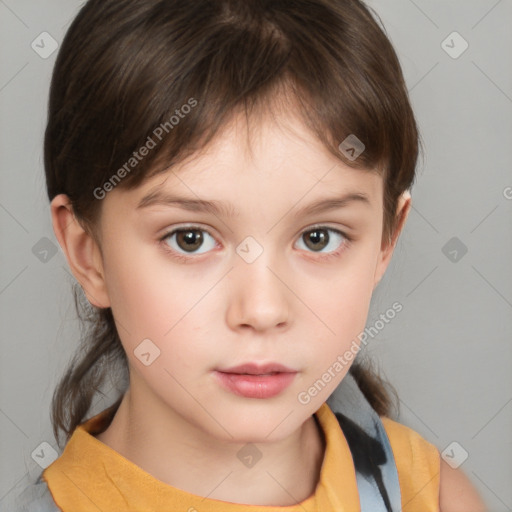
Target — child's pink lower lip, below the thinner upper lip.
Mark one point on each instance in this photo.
(256, 386)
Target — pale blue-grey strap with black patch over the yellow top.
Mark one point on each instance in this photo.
(374, 462)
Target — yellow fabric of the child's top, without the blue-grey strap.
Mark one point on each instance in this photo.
(90, 476)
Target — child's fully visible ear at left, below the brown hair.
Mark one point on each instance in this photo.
(82, 251)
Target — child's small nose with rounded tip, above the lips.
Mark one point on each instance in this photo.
(258, 297)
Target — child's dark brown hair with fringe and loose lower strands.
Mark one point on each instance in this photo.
(126, 70)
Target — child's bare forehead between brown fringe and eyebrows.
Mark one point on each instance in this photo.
(270, 158)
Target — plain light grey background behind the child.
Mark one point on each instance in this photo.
(448, 352)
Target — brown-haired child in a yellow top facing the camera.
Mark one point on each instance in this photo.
(228, 180)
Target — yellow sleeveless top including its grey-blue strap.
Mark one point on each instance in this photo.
(356, 474)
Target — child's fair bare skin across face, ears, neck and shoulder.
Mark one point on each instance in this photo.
(176, 421)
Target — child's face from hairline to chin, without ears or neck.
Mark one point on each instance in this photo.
(270, 267)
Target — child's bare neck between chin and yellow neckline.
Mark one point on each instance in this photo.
(177, 454)
